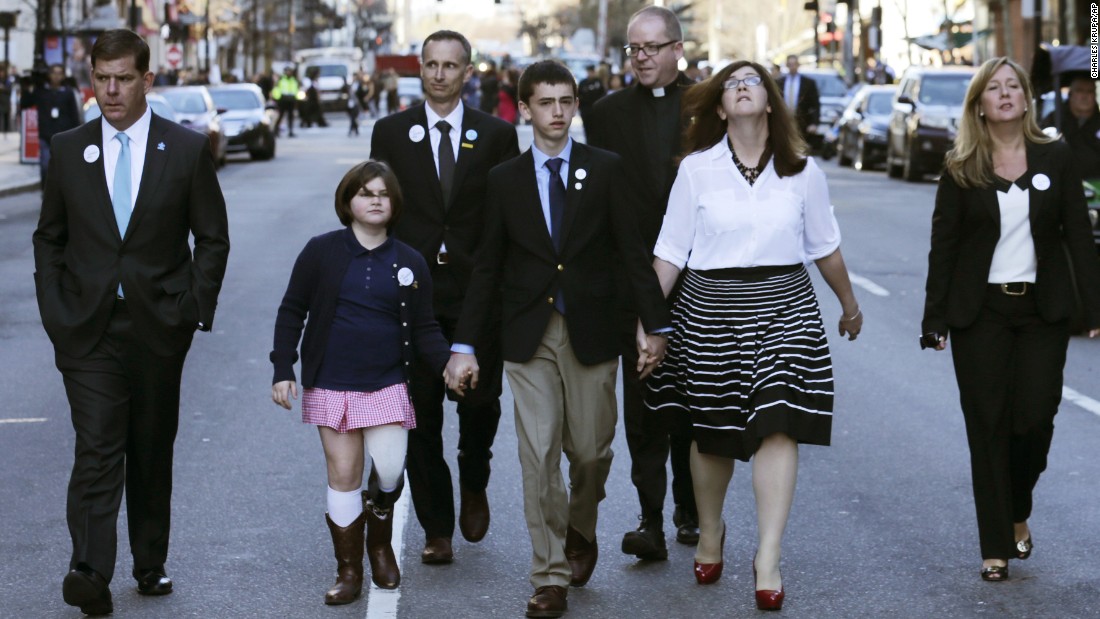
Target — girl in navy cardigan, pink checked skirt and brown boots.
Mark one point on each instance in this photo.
(365, 301)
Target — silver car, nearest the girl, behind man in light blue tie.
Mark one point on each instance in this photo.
(247, 120)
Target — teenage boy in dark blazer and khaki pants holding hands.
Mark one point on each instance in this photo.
(557, 226)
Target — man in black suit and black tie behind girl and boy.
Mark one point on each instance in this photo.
(446, 140)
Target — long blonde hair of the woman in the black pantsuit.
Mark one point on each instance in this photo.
(971, 162)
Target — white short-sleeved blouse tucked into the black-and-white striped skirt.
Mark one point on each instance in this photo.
(718, 220)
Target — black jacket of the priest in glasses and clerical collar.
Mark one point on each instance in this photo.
(618, 124)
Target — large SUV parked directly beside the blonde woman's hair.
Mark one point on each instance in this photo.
(925, 120)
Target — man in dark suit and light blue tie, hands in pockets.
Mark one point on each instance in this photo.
(122, 294)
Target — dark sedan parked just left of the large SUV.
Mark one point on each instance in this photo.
(862, 131)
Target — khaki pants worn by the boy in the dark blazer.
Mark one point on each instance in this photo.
(562, 406)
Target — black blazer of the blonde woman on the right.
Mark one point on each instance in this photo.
(966, 227)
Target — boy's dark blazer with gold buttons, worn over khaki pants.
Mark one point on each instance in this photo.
(519, 266)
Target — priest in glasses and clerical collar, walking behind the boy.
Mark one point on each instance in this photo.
(643, 125)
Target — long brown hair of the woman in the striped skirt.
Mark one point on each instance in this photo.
(702, 102)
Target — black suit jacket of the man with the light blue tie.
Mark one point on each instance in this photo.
(80, 257)
